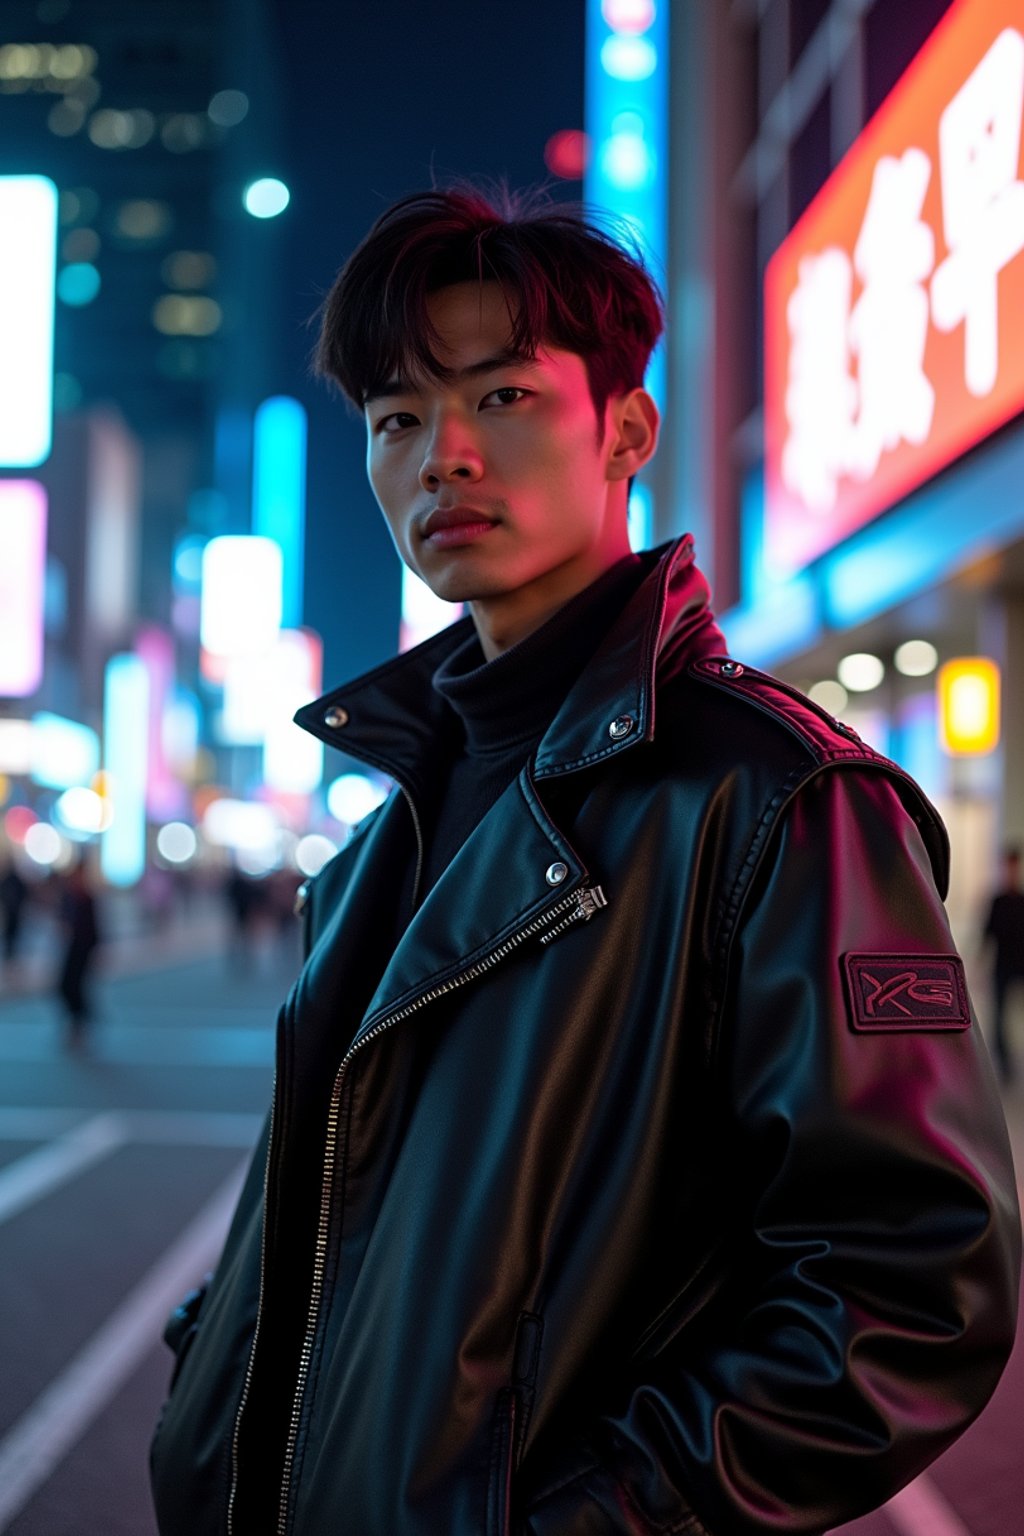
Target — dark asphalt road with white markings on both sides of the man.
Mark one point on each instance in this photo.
(117, 1173)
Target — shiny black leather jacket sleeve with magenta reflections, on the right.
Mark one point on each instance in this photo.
(871, 1293)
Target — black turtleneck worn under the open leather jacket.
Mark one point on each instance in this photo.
(500, 710)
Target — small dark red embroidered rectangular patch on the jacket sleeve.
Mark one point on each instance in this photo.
(907, 993)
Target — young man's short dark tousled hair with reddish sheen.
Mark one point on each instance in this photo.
(567, 283)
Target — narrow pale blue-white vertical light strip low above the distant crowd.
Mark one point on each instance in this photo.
(127, 763)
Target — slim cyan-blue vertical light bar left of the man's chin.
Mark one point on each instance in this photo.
(279, 492)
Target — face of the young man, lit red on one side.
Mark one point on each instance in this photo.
(500, 482)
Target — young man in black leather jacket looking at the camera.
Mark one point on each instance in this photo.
(635, 1164)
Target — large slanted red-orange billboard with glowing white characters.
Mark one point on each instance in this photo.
(894, 311)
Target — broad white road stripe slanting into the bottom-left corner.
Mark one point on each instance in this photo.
(64, 1412)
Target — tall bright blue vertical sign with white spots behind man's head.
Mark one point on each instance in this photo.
(627, 125)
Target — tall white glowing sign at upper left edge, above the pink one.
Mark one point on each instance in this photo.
(28, 263)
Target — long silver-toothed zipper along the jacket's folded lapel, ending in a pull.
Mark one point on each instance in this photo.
(586, 902)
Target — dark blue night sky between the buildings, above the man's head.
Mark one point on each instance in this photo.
(380, 101)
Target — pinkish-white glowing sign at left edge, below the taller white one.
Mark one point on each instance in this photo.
(22, 584)
